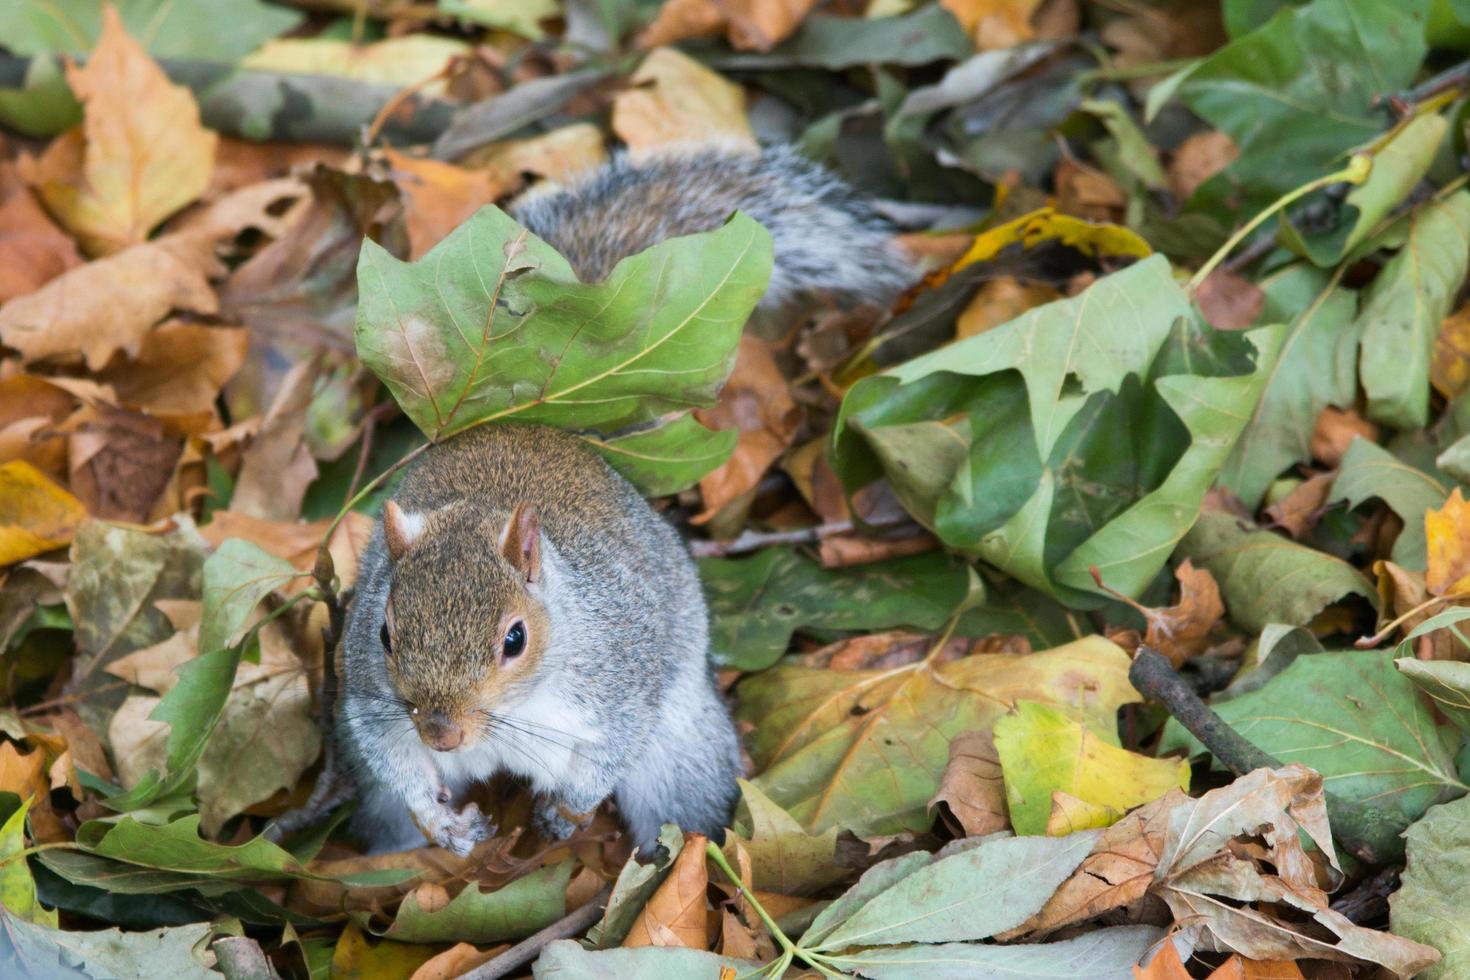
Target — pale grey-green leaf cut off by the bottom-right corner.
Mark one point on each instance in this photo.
(1430, 904)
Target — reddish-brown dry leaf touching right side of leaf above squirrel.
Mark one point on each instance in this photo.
(758, 403)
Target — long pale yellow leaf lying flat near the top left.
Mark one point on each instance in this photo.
(402, 61)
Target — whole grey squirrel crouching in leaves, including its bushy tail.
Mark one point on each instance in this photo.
(523, 609)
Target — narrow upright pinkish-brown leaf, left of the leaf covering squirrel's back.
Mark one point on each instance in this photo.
(279, 466)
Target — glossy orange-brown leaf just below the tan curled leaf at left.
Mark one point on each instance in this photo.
(180, 370)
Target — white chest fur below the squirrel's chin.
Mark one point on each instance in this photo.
(543, 738)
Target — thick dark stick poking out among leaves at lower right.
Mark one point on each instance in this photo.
(1356, 826)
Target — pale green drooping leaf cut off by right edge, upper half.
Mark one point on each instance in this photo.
(1406, 306)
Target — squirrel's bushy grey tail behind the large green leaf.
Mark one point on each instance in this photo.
(828, 239)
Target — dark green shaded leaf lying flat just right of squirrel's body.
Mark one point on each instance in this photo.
(758, 603)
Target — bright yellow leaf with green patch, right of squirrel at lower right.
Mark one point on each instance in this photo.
(1044, 753)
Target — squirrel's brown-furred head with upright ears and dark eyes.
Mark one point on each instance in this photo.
(465, 619)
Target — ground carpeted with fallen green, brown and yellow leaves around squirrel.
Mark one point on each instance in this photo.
(1180, 411)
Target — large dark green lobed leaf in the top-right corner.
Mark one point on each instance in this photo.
(1299, 93)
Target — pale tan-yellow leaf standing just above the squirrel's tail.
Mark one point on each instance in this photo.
(674, 99)
